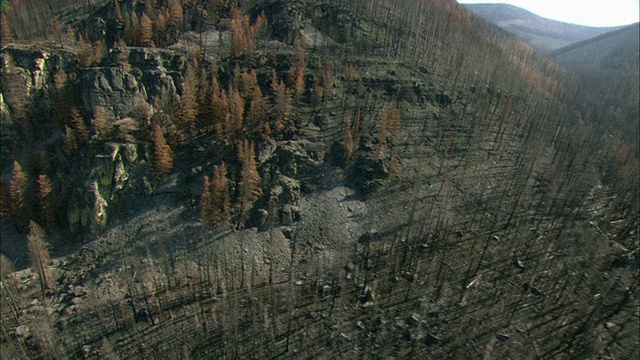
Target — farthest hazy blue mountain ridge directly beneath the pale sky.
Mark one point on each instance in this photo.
(541, 33)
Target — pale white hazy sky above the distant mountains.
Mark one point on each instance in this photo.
(583, 12)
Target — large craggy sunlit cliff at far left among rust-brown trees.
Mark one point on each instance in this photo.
(32, 77)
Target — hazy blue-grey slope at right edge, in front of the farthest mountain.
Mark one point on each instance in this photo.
(613, 50)
